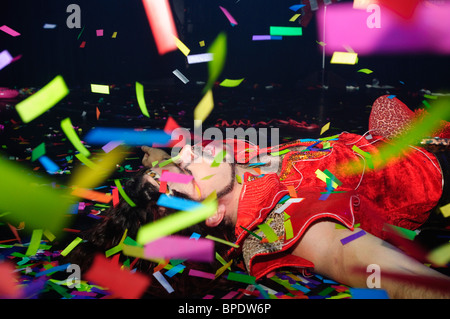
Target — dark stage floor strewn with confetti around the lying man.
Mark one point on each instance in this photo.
(345, 109)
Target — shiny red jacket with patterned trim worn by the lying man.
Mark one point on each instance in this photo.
(400, 193)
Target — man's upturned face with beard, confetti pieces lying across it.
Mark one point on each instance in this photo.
(197, 162)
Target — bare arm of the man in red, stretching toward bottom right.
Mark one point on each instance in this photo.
(321, 244)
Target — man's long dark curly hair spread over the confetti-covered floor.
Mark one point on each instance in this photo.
(108, 232)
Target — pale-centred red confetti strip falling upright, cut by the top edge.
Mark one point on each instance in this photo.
(162, 24)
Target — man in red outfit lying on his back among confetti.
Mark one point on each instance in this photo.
(402, 193)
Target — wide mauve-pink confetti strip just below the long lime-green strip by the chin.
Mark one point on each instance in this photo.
(178, 247)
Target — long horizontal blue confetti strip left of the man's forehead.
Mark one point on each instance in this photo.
(103, 135)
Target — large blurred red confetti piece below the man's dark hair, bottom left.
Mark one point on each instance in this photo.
(121, 282)
